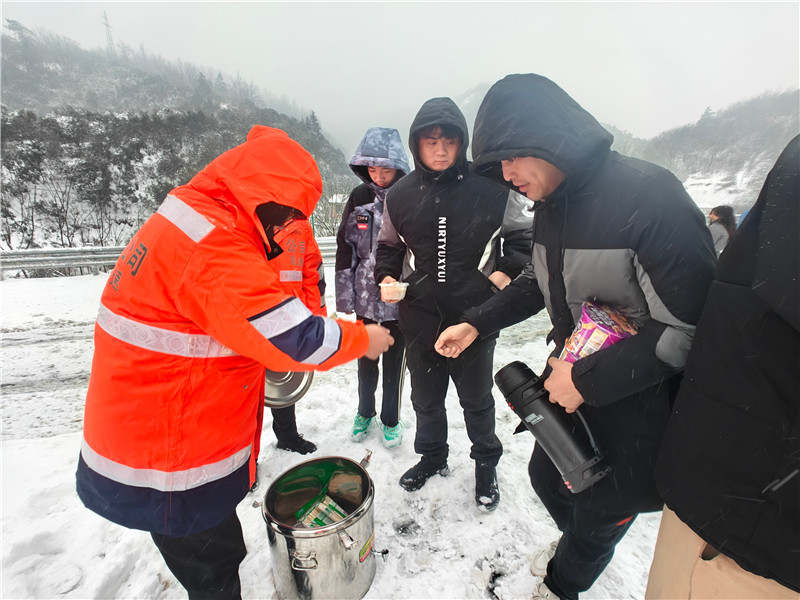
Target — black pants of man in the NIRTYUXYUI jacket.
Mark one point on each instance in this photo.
(471, 373)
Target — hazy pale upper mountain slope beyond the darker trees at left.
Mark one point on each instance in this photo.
(45, 73)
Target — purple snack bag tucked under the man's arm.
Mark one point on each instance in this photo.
(600, 326)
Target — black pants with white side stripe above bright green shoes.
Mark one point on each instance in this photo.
(394, 361)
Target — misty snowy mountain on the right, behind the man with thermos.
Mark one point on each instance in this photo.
(723, 158)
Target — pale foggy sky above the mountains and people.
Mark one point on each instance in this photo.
(643, 67)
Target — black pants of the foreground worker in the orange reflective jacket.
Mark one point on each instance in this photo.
(207, 563)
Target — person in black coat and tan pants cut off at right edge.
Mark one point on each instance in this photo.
(729, 469)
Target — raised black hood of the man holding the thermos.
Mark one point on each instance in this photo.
(529, 115)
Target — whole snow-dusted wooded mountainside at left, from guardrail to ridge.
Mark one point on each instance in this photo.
(92, 141)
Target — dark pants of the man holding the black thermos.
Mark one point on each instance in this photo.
(588, 537)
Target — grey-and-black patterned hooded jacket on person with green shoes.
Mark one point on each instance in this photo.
(356, 290)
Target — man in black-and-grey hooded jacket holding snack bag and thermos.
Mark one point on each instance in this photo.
(608, 229)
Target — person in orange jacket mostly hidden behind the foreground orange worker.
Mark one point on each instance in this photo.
(301, 273)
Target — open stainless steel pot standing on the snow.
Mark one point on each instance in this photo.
(333, 561)
